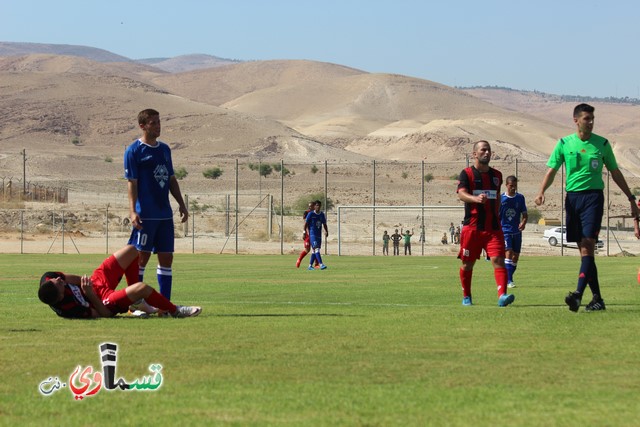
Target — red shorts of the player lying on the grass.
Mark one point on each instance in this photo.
(105, 280)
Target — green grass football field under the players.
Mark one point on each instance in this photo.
(374, 341)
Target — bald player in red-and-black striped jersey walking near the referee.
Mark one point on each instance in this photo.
(479, 189)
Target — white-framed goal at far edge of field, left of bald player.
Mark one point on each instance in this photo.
(360, 227)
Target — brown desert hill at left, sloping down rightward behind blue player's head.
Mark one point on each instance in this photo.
(81, 122)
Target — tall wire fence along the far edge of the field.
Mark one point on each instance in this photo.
(257, 207)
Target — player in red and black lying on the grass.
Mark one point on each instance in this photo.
(82, 297)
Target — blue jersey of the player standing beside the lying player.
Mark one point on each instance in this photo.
(152, 167)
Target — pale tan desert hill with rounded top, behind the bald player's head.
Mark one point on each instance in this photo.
(363, 112)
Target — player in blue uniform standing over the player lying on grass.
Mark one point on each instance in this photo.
(149, 171)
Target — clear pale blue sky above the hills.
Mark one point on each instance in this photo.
(586, 47)
